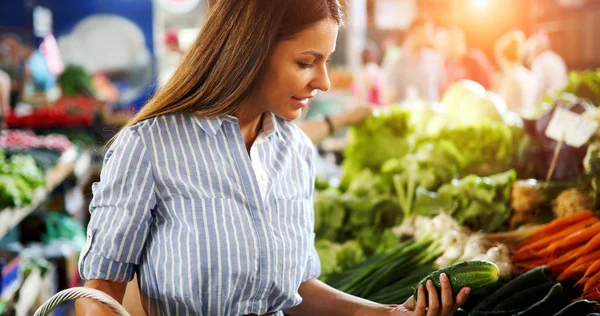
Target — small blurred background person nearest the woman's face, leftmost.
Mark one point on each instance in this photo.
(367, 83)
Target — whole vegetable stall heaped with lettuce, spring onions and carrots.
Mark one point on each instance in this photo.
(424, 186)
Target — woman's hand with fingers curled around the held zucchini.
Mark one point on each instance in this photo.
(448, 305)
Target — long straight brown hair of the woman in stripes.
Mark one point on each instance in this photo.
(223, 65)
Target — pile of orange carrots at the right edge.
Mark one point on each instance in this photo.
(570, 247)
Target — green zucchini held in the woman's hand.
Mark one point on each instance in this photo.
(474, 274)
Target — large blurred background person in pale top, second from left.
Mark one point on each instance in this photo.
(418, 71)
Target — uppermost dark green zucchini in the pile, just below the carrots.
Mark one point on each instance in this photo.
(531, 278)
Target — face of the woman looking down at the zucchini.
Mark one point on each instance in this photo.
(296, 69)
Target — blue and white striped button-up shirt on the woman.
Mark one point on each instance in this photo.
(179, 202)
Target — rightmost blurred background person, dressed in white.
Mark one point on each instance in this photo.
(549, 68)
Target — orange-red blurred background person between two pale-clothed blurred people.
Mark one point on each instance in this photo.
(460, 61)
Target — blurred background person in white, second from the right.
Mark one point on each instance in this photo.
(515, 83)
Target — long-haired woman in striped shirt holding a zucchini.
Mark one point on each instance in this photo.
(206, 195)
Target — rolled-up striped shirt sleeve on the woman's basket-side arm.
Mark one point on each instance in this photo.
(120, 211)
